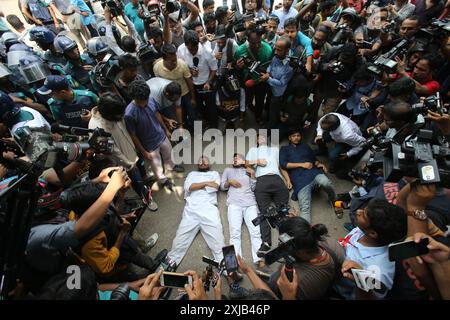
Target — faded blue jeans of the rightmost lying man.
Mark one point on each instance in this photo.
(304, 195)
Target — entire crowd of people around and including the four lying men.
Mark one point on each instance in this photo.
(92, 91)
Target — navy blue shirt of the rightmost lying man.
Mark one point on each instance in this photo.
(300, 177)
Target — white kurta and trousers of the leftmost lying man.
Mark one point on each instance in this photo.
(199, 214)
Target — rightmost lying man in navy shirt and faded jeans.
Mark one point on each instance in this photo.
(305, 172)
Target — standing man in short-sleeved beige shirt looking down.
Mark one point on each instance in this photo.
(172, 68)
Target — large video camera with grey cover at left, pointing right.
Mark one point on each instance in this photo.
(39, 146)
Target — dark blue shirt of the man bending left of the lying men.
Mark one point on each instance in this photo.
(143, 123)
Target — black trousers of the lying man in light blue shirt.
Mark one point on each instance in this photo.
(269, 188)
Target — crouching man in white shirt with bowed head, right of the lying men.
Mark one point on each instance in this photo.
(347, 137)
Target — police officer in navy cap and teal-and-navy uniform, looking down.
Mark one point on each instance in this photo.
(69, 107)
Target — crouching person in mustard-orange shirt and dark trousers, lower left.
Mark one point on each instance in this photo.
(108, 249)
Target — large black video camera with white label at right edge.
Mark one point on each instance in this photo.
(415, 157)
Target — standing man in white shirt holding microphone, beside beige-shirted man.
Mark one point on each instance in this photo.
(203, 68)
